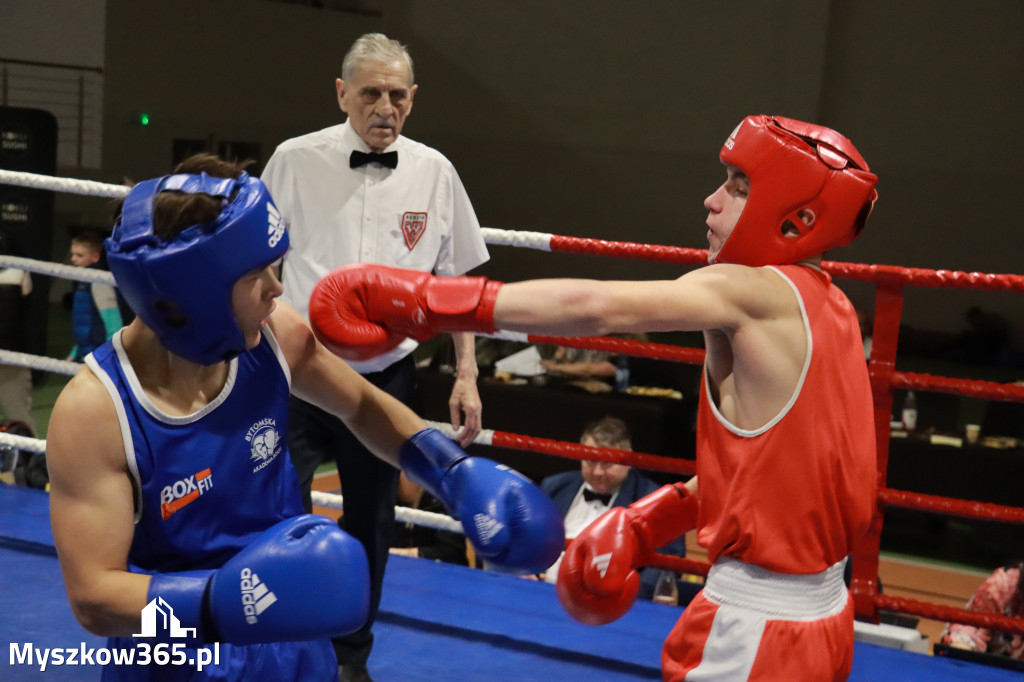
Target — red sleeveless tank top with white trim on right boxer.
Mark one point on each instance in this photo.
(796, 495)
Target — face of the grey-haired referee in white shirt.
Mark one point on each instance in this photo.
(377, 101)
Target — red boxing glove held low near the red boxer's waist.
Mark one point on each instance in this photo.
(599, 579)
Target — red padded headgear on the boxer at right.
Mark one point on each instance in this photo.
(793, 166)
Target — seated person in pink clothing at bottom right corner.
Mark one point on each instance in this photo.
(1002, 593)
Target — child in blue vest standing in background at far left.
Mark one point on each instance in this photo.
(96, 314)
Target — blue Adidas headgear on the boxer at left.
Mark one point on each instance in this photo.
(182, 288)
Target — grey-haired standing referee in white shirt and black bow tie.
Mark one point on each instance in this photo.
(363, 193)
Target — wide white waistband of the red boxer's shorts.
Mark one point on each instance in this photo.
(782, 596)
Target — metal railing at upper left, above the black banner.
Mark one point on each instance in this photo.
(73, 94)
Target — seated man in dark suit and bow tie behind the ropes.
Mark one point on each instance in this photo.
(584, 495)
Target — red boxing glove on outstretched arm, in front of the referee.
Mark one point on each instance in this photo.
(361, 312)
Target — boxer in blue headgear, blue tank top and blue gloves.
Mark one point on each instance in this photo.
(170, 483)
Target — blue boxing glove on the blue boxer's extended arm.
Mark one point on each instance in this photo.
(511, 523)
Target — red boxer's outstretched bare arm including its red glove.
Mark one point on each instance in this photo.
(362, 309)
